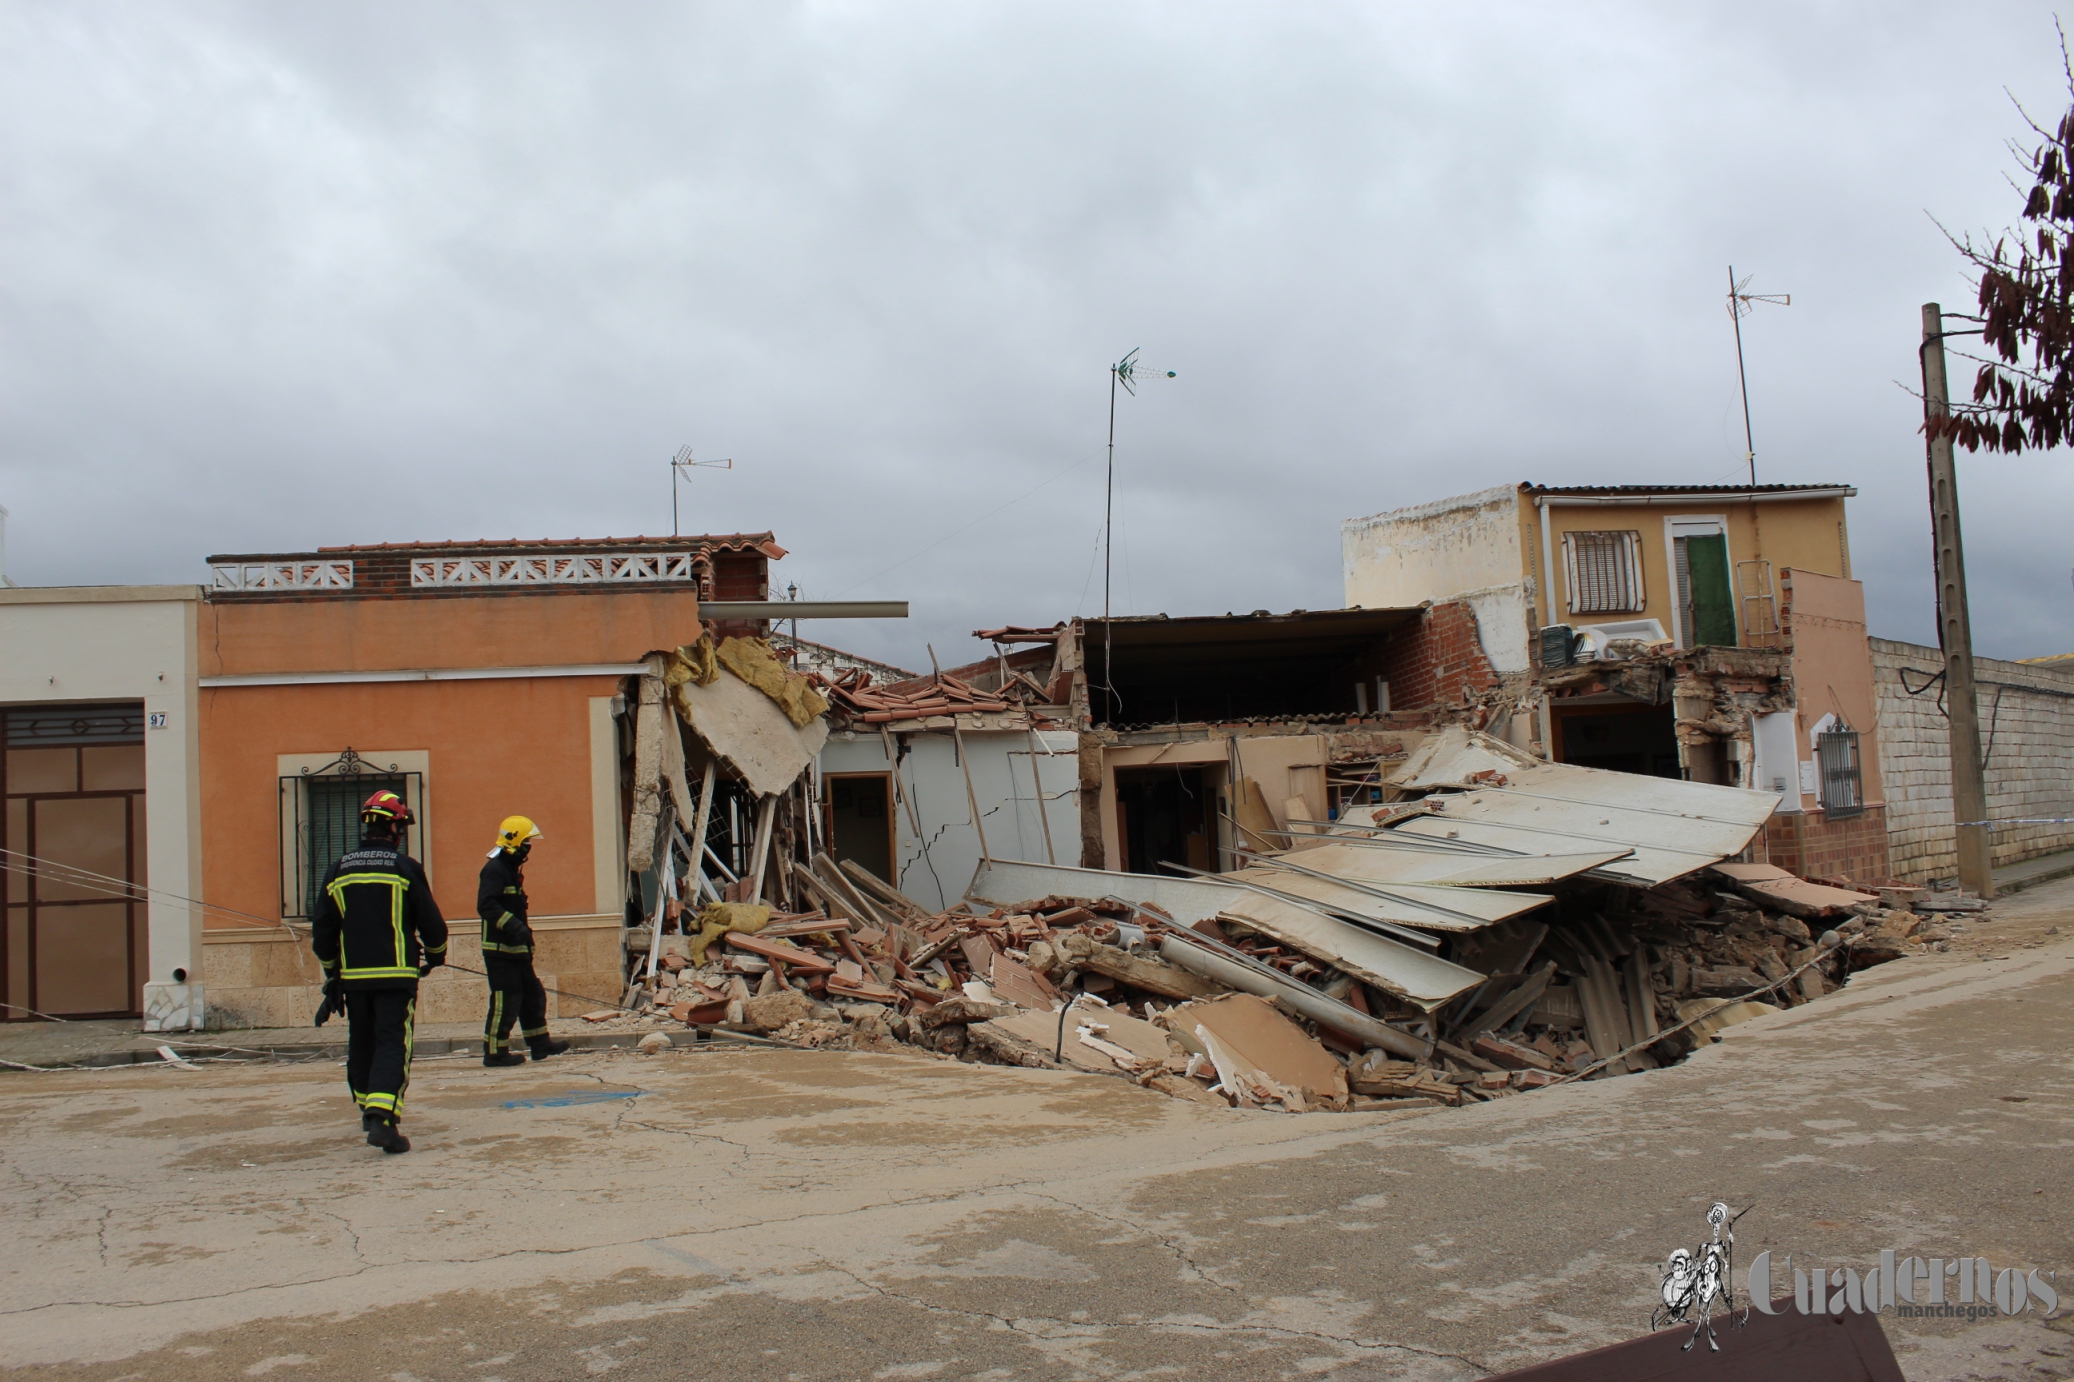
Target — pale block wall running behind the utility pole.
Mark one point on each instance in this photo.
(2027, 738)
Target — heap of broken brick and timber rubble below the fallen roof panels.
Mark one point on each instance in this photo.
(1604, 980)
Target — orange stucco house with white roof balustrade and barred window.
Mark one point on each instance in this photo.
(480, 680)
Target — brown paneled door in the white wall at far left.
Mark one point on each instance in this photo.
(74, 889)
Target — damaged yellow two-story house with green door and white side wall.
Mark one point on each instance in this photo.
(1695, 632)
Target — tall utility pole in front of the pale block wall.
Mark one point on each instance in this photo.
(1955, 630)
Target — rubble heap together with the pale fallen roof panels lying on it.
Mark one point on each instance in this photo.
(1498, 927)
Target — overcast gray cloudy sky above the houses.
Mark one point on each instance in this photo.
(279, 277)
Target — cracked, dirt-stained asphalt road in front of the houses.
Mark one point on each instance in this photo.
(797, 1215)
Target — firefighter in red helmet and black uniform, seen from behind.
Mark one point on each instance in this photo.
(376, 935)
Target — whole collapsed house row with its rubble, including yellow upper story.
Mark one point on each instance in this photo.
(1501, 831)
